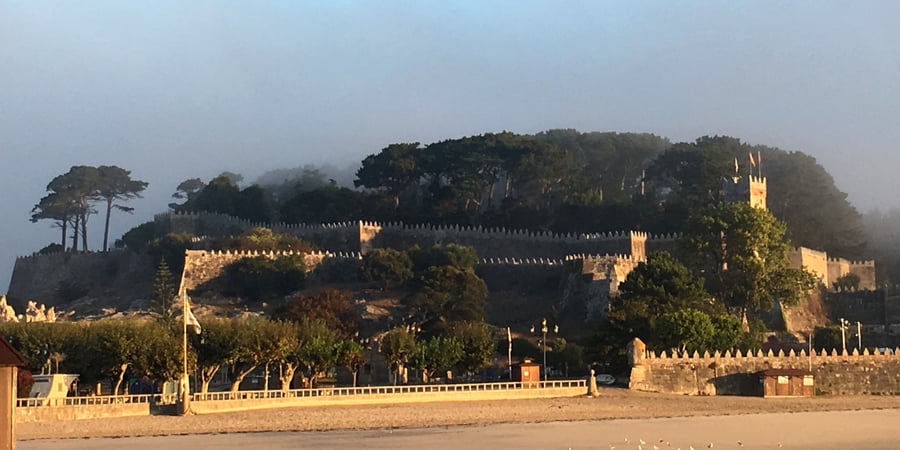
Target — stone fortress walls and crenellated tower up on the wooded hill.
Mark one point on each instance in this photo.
(587, 268)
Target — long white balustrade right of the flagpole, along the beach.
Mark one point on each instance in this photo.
(388, 390)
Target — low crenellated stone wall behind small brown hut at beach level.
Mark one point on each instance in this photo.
(869, 372)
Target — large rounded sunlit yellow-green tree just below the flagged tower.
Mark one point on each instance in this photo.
(743, 256)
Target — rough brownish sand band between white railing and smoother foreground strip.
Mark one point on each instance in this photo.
(612, 404)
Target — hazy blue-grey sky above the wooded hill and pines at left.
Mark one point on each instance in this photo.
(172, 90)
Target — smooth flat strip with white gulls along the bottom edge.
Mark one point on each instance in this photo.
(873, 429)
